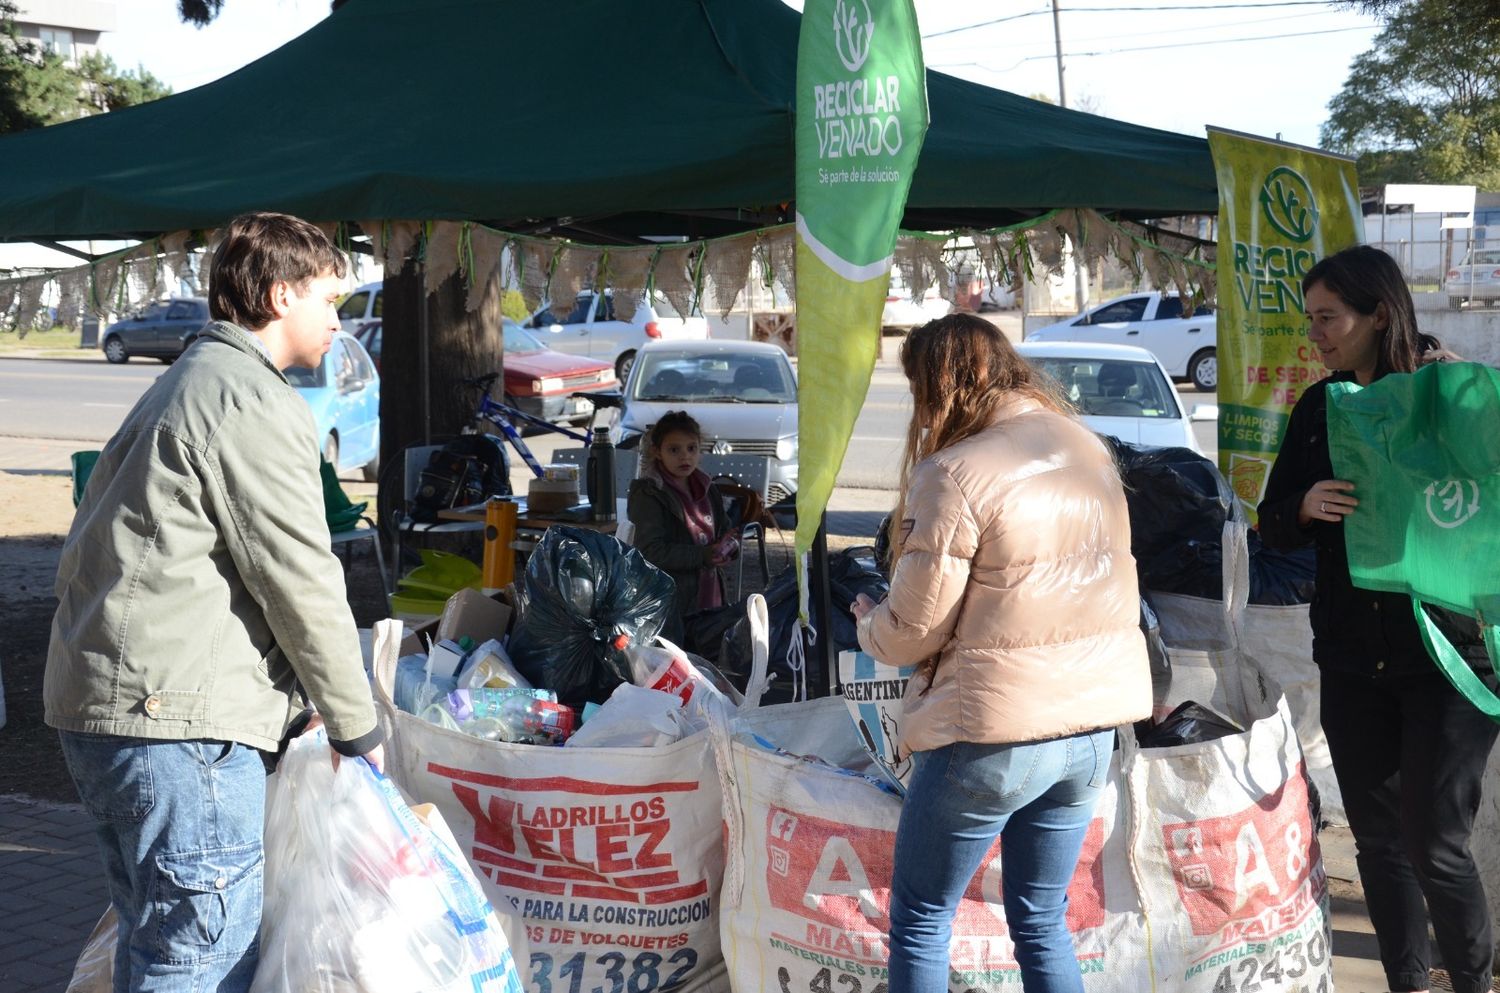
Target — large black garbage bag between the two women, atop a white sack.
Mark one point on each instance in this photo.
(1178, 506)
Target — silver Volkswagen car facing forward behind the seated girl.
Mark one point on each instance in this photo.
(742, 394)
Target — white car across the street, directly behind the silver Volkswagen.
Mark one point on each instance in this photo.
(592, 329)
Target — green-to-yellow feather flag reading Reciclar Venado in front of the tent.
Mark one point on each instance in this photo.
(862, 115)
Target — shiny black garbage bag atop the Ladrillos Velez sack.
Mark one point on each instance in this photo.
(586, 599)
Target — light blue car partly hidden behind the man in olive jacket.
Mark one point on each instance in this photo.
(344, 395)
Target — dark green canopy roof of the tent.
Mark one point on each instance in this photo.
(601, 121)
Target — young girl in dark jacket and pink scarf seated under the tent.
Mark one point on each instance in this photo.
(680, 518)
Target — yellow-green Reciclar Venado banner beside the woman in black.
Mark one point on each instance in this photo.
(1282, 209)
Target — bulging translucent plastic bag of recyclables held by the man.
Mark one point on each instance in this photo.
(365, 898)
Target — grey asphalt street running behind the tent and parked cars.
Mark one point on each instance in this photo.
(86, 401)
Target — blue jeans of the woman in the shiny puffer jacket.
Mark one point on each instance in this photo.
(1039, 799)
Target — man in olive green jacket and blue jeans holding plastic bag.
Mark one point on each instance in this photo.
(199, 602)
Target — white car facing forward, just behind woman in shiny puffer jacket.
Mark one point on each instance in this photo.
(1120, 391)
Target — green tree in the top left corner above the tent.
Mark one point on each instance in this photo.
(38, 88)
